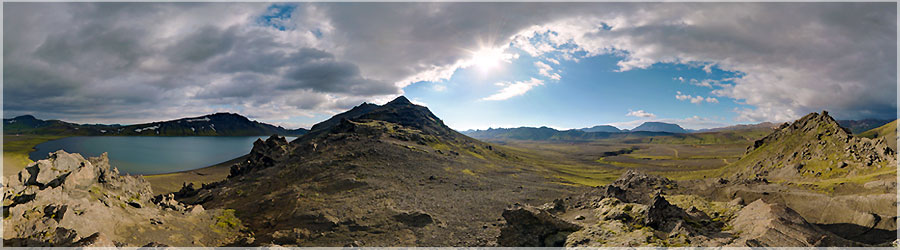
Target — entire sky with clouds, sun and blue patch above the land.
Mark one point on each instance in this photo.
(475, 65)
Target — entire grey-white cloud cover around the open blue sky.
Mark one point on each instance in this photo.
(103, 61)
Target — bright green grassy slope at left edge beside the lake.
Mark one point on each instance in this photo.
(16, 149)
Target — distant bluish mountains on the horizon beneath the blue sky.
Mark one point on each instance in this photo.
(545, 133)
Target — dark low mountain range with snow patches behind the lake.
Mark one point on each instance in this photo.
(218, 124)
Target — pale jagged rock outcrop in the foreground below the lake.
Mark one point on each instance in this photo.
(66, 200)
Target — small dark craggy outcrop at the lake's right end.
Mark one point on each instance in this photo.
(263, 155)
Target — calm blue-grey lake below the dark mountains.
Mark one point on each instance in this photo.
(153, 154)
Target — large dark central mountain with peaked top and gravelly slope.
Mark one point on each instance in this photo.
(389, 175)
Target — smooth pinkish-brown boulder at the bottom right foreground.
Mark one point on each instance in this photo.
(769, 224)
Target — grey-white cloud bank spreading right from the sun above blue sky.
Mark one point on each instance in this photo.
(794, 58)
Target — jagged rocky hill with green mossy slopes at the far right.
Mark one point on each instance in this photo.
(814, 148)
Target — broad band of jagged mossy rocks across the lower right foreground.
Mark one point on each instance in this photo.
(635, 211)
